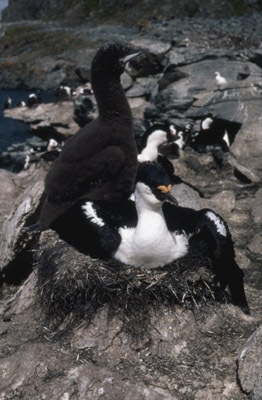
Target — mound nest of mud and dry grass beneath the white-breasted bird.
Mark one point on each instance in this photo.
(73, 286)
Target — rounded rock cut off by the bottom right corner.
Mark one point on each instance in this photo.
(250, 365)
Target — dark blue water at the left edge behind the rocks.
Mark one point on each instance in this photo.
(11, 130)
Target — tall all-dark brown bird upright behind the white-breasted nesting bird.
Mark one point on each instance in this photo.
(100, 161)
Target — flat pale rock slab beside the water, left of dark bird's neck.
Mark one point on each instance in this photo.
(52, 120)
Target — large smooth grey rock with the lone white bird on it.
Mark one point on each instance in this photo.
(196, 81)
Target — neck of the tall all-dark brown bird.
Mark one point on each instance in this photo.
(110, 97)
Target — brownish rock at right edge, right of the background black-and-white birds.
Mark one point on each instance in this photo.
(247, 146)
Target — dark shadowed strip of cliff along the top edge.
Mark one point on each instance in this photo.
(119, 10)
